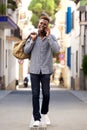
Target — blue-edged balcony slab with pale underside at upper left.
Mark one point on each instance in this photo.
(7, 23)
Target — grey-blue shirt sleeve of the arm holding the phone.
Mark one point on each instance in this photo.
(53, 43)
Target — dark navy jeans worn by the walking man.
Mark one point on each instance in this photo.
(36, 79)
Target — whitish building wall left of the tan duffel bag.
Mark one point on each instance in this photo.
(9, 60)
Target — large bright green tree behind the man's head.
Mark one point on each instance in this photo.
(40, 7)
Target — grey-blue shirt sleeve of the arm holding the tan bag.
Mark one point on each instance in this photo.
(28, 46)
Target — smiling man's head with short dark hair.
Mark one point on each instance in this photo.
(43, 25)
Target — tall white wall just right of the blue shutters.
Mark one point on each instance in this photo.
(75, 49)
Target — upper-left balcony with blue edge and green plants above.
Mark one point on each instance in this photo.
(5, 20)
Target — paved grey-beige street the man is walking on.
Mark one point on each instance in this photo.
(68, 110)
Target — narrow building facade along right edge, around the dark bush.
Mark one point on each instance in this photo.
(82, 7)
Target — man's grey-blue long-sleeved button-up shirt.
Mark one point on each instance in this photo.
(41, 54)
